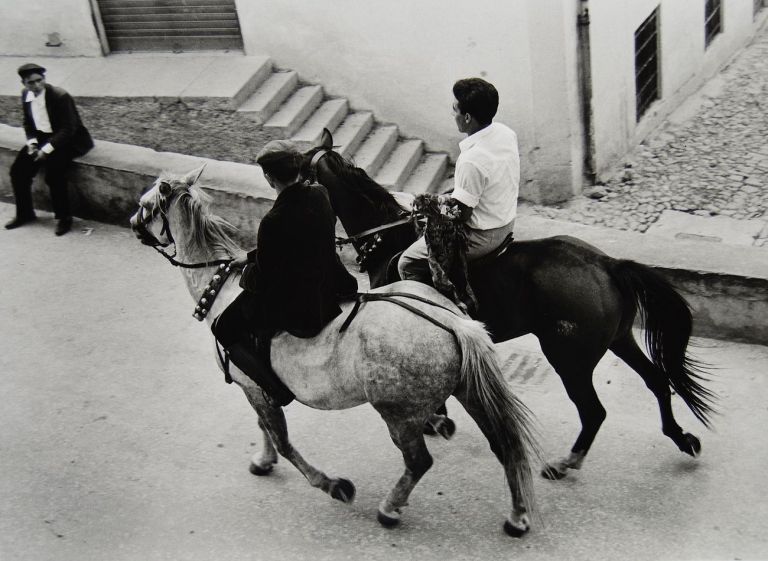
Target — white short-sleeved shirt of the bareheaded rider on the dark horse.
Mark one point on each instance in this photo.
(487, 176)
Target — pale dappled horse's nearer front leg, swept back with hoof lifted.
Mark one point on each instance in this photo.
(273, 420)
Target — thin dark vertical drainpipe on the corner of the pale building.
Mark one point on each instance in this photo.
(585, 87)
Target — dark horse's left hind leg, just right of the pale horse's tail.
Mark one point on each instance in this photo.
(575, 366)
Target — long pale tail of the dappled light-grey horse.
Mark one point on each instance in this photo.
(509, 421)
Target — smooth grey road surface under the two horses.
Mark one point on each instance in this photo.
(120, 441)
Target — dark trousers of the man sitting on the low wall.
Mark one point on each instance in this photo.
(56, 167)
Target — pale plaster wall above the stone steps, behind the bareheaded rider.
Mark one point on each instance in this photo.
(400, 58)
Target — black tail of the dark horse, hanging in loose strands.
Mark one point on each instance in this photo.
(666, 317)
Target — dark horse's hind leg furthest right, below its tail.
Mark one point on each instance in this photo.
(628, 350)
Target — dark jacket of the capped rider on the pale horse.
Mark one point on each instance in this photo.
(294, 271)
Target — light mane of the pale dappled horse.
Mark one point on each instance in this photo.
(204, 229)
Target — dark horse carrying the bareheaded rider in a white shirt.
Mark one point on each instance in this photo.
(577, 300)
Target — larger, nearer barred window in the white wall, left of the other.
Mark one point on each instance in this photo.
(647, 67)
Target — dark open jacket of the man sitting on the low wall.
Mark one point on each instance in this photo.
(68, 130)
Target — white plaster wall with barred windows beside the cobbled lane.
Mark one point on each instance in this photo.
(685, 63)
